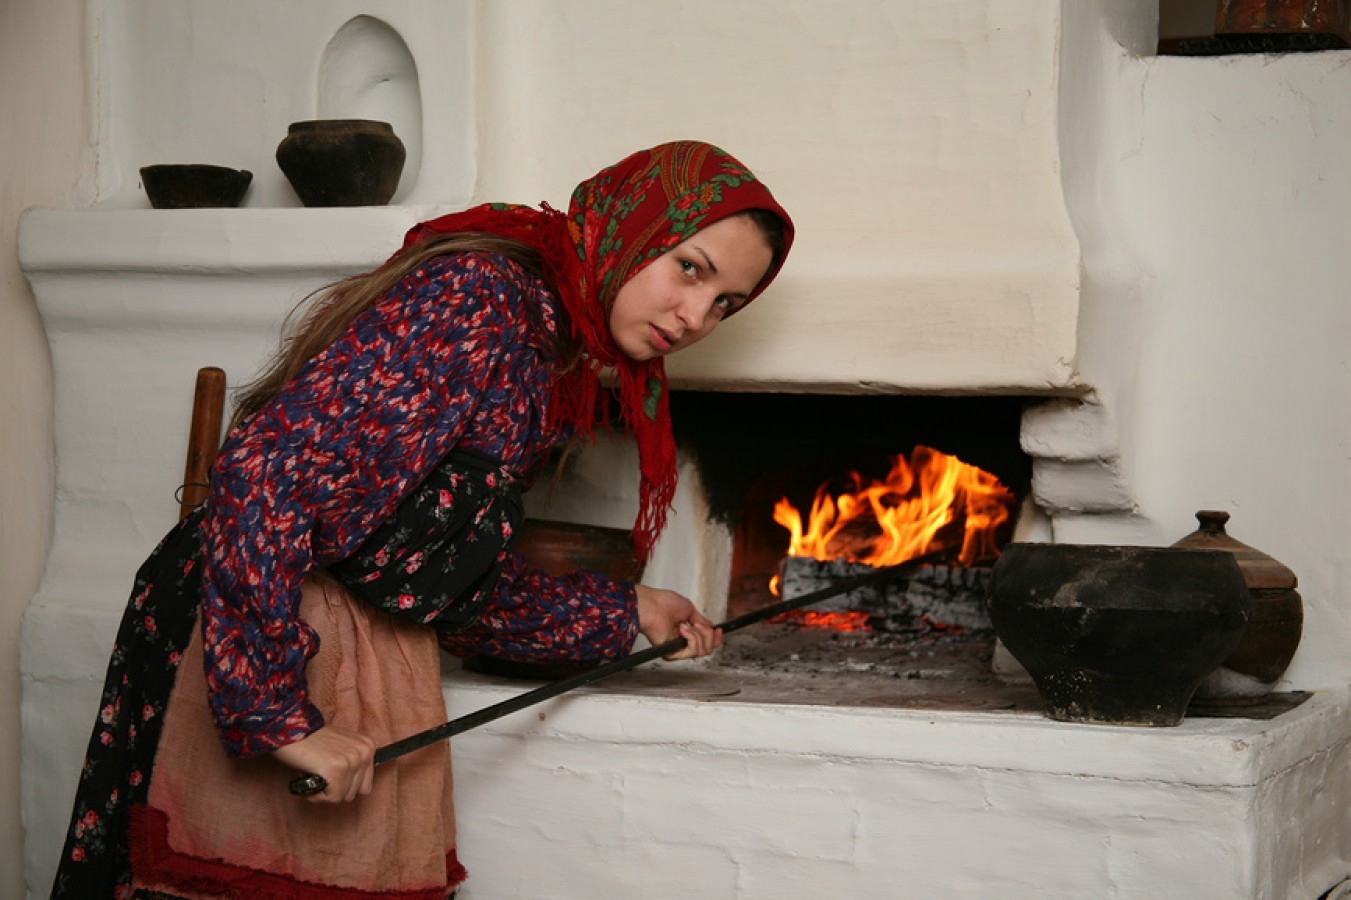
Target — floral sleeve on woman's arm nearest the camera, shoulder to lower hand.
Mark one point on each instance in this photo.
(325, 461)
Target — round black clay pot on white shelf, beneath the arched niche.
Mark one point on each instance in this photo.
(342, 163)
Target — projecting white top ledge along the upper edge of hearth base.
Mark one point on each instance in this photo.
(1221, 753)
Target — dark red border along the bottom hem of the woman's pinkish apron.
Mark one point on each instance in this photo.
(153, 859)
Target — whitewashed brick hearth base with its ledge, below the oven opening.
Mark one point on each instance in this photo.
(656, 797)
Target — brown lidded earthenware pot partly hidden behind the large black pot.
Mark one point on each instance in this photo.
(1277, 625)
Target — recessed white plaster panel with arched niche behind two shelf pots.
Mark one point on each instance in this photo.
(220, 83)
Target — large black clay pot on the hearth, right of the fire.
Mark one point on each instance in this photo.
(1119, 636)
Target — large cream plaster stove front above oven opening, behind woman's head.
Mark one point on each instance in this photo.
(915, 145)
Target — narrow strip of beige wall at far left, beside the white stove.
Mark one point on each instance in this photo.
(47, 160)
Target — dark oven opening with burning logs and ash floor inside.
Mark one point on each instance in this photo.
(819, 489)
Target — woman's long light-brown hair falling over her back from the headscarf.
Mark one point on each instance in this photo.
(325, 316)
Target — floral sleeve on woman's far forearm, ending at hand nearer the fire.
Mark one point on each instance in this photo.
(536, 617)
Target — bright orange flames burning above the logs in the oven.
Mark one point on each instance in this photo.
(932, 502)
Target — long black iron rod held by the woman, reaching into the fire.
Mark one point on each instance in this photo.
(310, 784)
